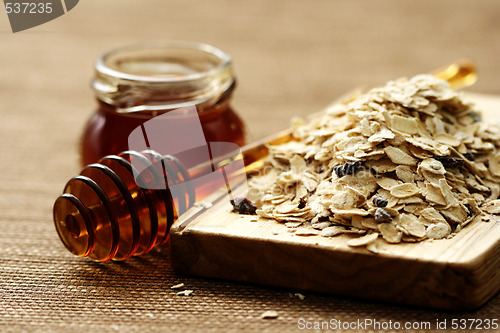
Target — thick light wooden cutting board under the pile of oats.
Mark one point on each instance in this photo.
(460, 273)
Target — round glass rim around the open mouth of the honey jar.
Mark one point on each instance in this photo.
(103, 67)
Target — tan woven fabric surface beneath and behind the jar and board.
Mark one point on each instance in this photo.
(291, 58)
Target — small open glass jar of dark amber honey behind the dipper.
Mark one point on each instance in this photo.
(137, 83)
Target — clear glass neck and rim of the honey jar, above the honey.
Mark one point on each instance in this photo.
(158, 77)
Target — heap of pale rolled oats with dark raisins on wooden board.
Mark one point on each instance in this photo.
(409, 161)
